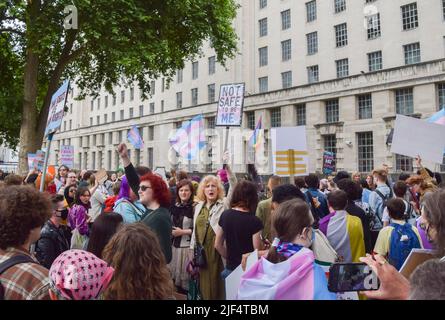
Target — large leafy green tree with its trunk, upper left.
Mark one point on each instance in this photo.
(135, 40)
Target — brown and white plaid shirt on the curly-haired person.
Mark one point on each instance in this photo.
(24, 281)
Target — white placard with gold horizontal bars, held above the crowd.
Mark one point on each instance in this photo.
(289, 151)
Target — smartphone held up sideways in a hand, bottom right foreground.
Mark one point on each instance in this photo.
(344, 277)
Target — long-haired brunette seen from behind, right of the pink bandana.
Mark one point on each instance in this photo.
(141, 271)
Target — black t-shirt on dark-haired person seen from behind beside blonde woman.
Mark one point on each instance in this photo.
(238, 227)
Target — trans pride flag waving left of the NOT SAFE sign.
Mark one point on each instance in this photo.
(190, 138)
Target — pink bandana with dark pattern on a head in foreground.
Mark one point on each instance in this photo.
(79, 275)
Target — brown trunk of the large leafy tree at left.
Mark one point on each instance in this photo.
(28, 141)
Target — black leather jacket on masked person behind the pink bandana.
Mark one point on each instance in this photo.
(51, 244)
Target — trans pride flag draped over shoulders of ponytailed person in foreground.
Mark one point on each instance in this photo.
(297, 278)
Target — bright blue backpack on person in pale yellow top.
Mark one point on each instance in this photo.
(403, 240)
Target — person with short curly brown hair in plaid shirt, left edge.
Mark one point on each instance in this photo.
(23, 211)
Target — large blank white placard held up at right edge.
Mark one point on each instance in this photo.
(414, 137)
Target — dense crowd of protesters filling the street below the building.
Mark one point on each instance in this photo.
(139, 236)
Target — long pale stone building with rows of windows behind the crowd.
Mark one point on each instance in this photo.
(342, 68)
